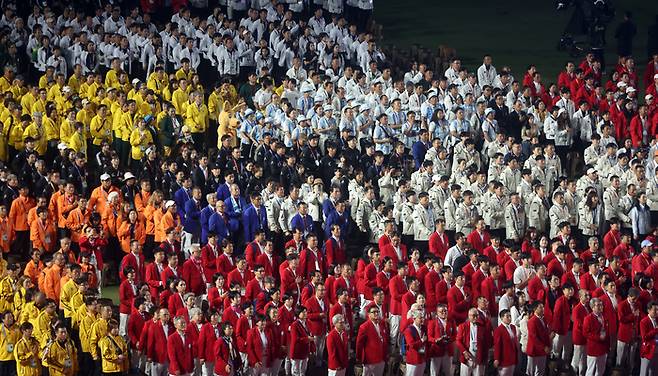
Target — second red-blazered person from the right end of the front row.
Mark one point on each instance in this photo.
(628, 313)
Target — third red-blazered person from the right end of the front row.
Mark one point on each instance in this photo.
(597, 333)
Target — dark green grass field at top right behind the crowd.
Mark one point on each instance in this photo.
(515, 32)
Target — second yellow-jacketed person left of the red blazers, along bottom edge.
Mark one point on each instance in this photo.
(61, 355)
